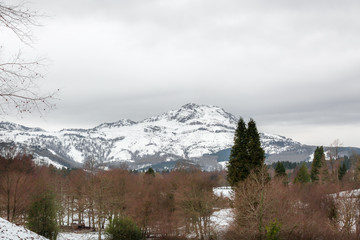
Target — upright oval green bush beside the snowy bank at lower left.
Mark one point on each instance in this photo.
(42, 215)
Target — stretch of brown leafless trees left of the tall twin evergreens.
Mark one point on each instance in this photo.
(165, 205)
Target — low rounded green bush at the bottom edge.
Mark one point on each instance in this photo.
(123, 228)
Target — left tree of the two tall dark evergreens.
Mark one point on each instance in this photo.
(238, 161)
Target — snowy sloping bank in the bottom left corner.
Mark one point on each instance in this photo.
(10, 231)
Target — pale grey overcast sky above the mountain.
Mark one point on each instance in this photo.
(293, 66)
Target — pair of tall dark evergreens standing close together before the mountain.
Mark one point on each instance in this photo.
(246, 153)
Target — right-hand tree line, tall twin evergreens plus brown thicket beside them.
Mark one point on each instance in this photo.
(271, 203)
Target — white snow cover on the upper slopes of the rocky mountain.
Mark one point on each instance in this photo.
(189, 132)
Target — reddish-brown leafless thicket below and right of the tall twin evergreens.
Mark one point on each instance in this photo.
(306, 211)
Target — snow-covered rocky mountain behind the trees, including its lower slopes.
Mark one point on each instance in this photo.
(202, 134)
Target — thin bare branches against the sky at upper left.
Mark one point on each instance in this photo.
(18, 88)
